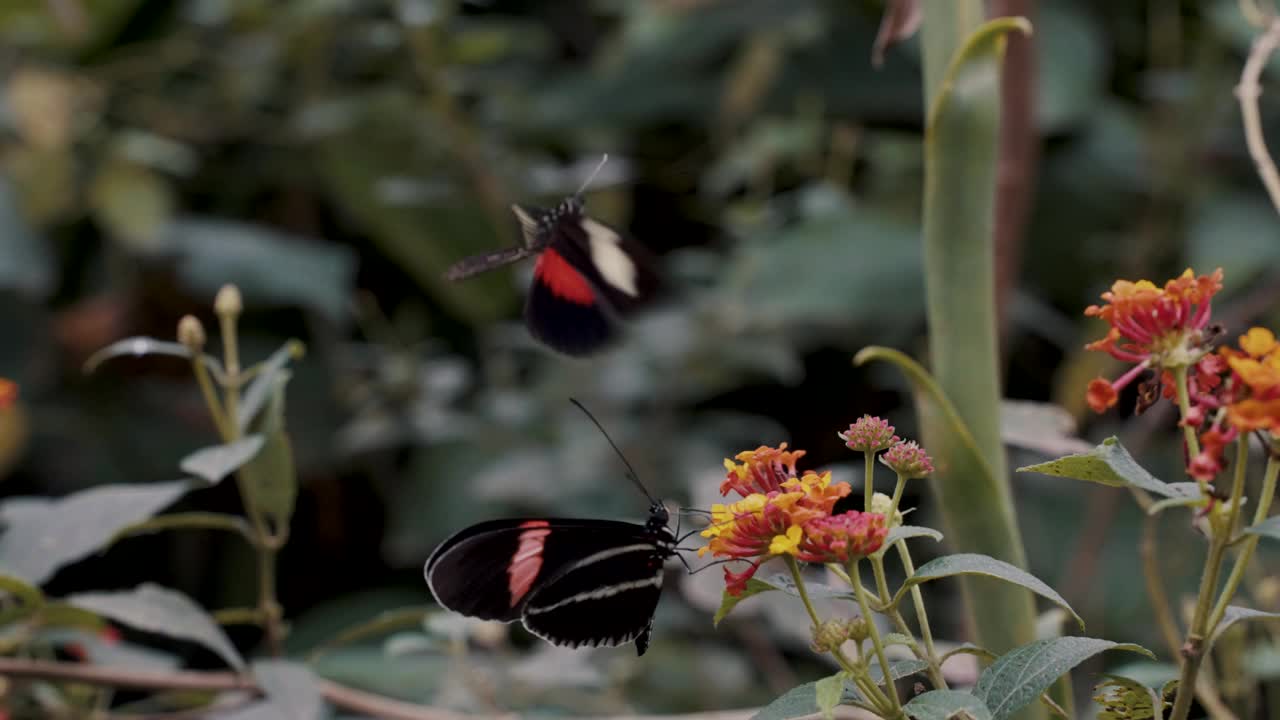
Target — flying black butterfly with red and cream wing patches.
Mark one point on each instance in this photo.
(588, 275)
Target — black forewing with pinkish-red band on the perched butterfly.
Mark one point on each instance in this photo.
(491, 571)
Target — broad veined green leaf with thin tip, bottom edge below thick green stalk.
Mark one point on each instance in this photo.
(1022, 675)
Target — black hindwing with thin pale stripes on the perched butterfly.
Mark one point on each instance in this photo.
(606, 599)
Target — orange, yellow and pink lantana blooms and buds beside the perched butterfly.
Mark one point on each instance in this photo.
(788, 513)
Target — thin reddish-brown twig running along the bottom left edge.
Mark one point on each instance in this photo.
(342, 696)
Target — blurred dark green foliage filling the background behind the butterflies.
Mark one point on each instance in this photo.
(333, 157)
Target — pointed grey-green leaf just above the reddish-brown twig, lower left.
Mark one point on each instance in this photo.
(159, 610)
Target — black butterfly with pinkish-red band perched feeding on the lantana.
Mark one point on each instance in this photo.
(572, 582)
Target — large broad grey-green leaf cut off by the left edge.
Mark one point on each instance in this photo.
(43, 536)
